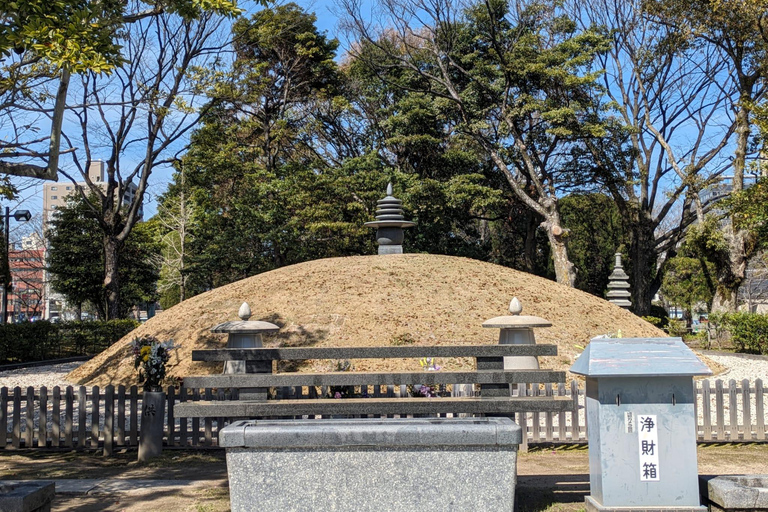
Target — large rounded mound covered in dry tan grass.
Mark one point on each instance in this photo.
(374, 301)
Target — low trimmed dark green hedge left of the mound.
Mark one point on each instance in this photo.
(42, 340)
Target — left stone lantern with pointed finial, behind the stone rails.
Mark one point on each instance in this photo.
(245, 333)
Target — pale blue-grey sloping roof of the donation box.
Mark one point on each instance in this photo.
(638, 357)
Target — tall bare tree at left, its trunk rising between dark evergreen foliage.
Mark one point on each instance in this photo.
(138, 118)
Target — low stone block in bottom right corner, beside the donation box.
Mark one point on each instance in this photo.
(735, 493)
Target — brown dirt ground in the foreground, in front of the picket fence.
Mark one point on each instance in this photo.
(550, 479)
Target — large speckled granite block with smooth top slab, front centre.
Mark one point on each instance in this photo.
(366, 465)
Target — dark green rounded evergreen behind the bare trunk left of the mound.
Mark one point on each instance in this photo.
(76, 259)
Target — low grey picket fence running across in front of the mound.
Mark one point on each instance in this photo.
(110, 418)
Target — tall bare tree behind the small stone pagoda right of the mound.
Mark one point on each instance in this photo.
(671, 123)
